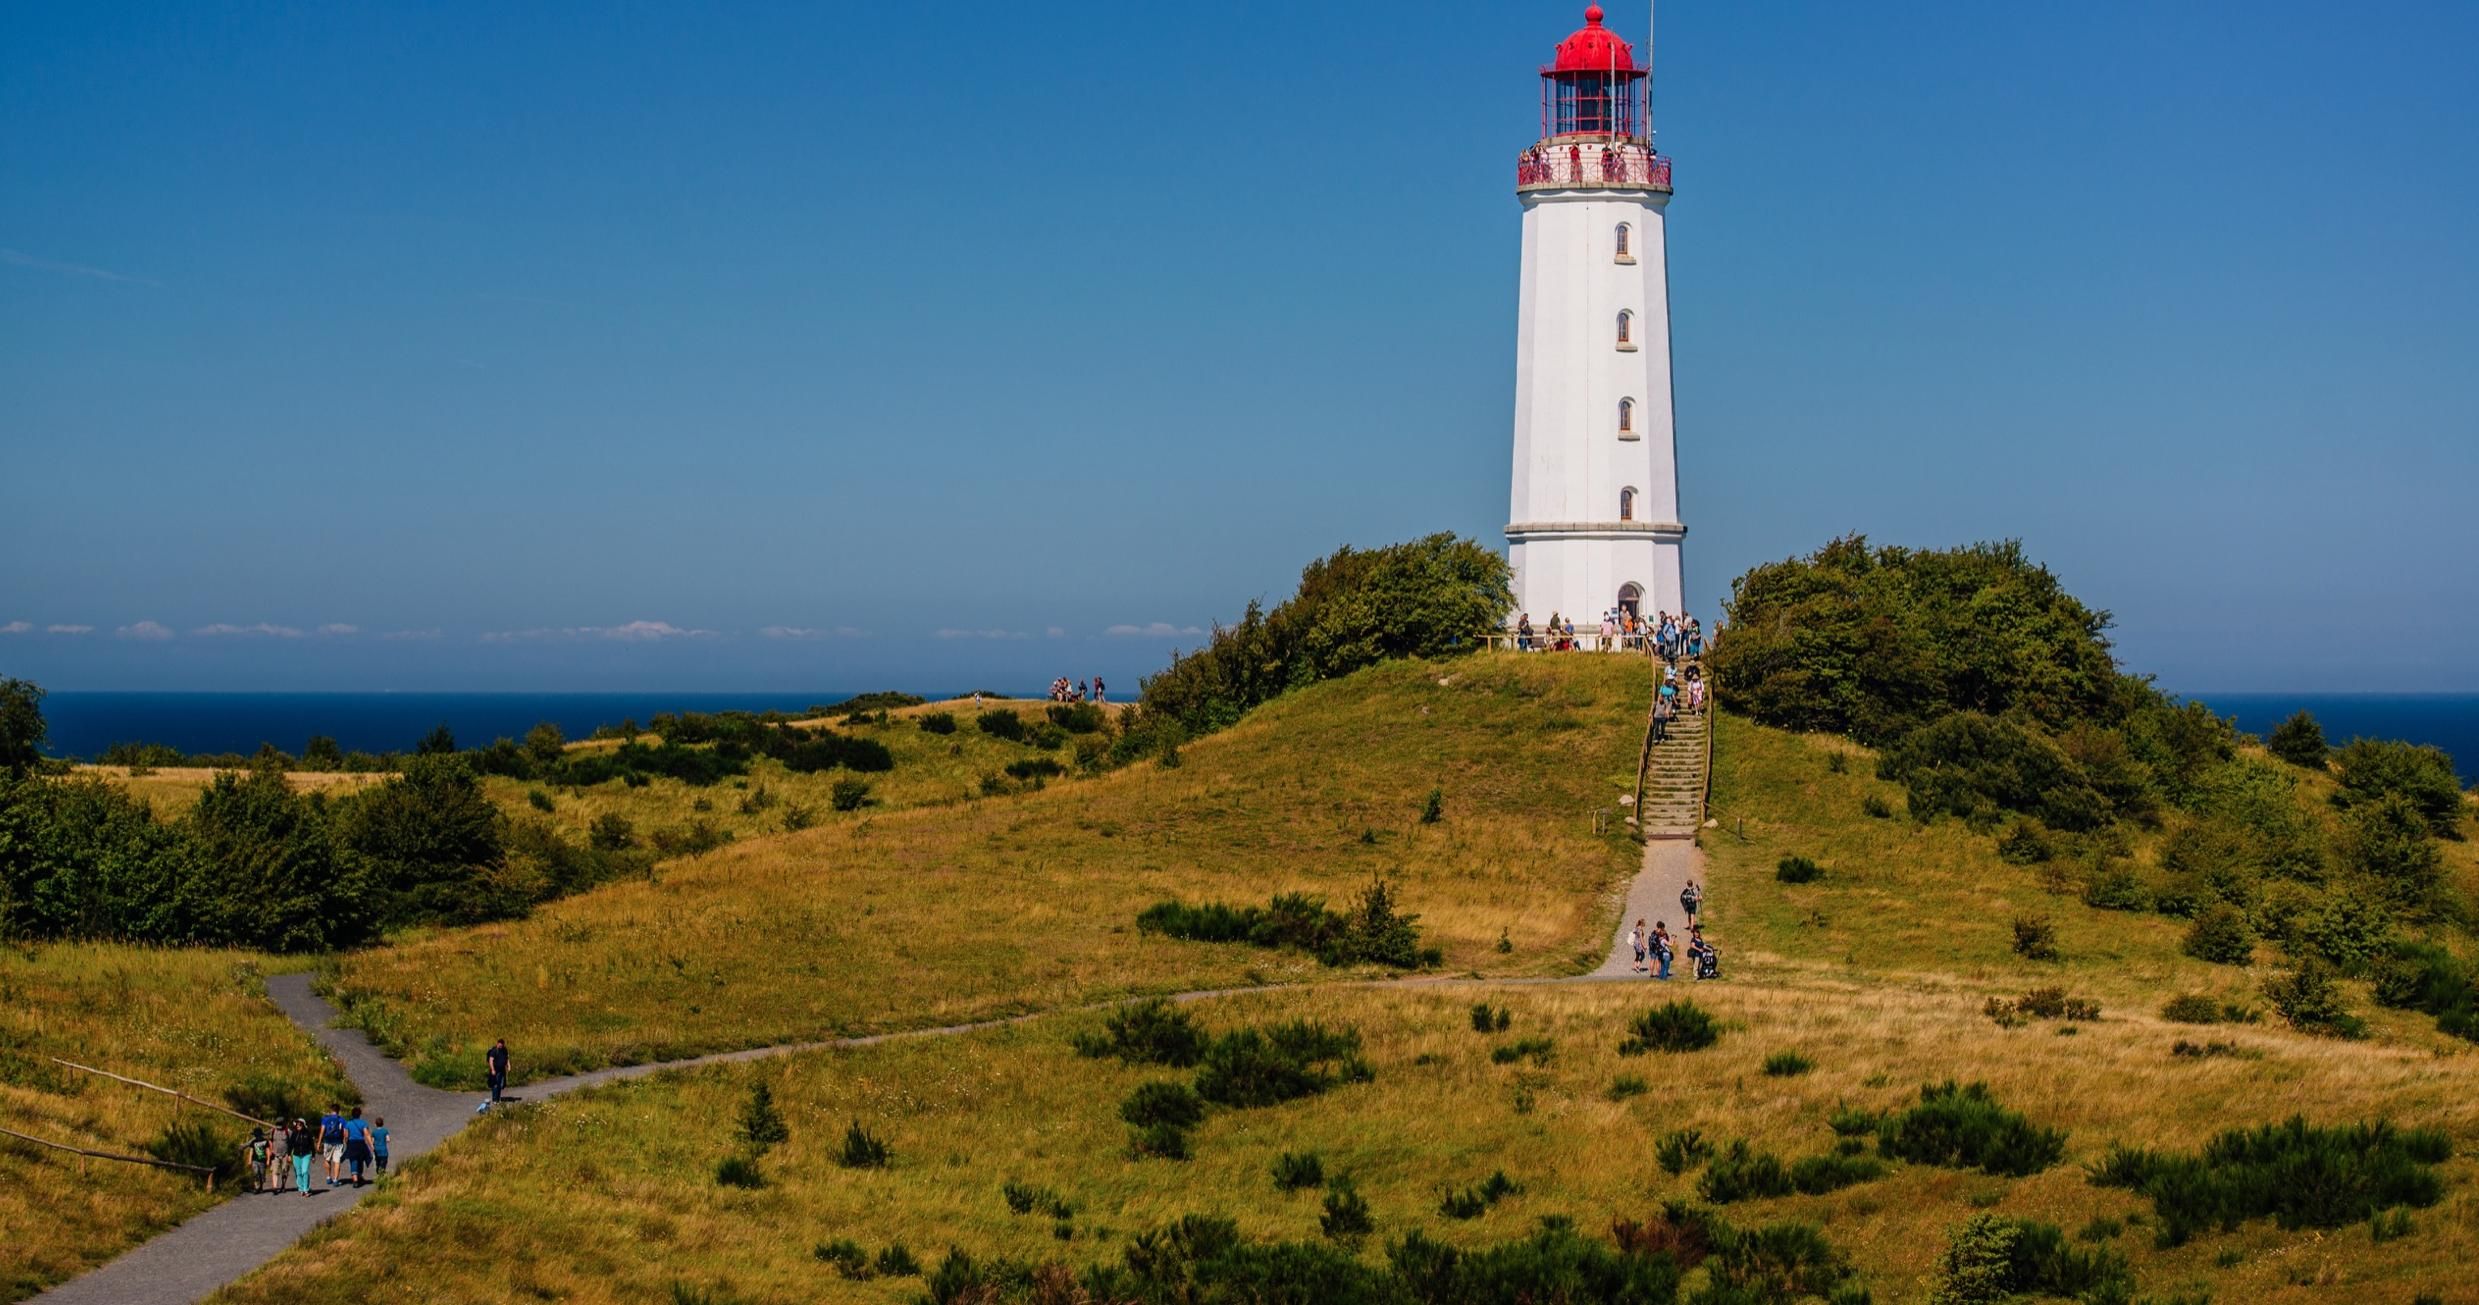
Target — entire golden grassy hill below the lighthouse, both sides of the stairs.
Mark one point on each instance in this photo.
(1846, 999)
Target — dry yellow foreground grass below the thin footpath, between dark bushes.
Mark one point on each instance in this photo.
(611, 1197)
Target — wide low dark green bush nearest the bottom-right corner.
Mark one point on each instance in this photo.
(2294, 1175)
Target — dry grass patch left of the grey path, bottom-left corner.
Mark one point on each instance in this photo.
(195, 1021)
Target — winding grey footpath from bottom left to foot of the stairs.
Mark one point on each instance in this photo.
(219, 1247)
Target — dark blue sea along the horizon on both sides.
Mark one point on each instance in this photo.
(88, 723)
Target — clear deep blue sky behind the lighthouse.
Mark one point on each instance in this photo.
(581, 346)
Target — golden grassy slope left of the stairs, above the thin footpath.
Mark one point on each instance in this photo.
(1000, 907)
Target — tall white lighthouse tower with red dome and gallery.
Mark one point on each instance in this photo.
(1595, 512)
